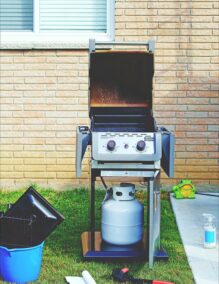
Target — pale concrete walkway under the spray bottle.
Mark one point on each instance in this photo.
(188, 212)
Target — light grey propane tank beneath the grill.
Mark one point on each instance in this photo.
(122, 217)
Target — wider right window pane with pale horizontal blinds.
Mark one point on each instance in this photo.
(73, 15)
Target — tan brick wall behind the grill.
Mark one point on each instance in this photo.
(44, 95)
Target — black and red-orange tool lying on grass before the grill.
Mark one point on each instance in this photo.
(122, 275)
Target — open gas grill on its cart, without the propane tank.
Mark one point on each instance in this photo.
(125, 140)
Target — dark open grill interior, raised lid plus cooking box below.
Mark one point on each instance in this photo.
(121, 91)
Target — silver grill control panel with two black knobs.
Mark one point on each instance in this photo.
(113, 146)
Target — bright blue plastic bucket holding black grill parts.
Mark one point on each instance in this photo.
(21, 265)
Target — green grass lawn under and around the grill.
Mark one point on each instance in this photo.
(62, 252)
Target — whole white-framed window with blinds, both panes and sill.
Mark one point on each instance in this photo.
(56, 20)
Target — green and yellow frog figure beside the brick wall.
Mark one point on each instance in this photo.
(185, 189)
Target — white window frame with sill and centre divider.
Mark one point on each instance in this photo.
(36, 38)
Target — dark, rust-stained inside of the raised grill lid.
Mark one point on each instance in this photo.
(121, 79)
